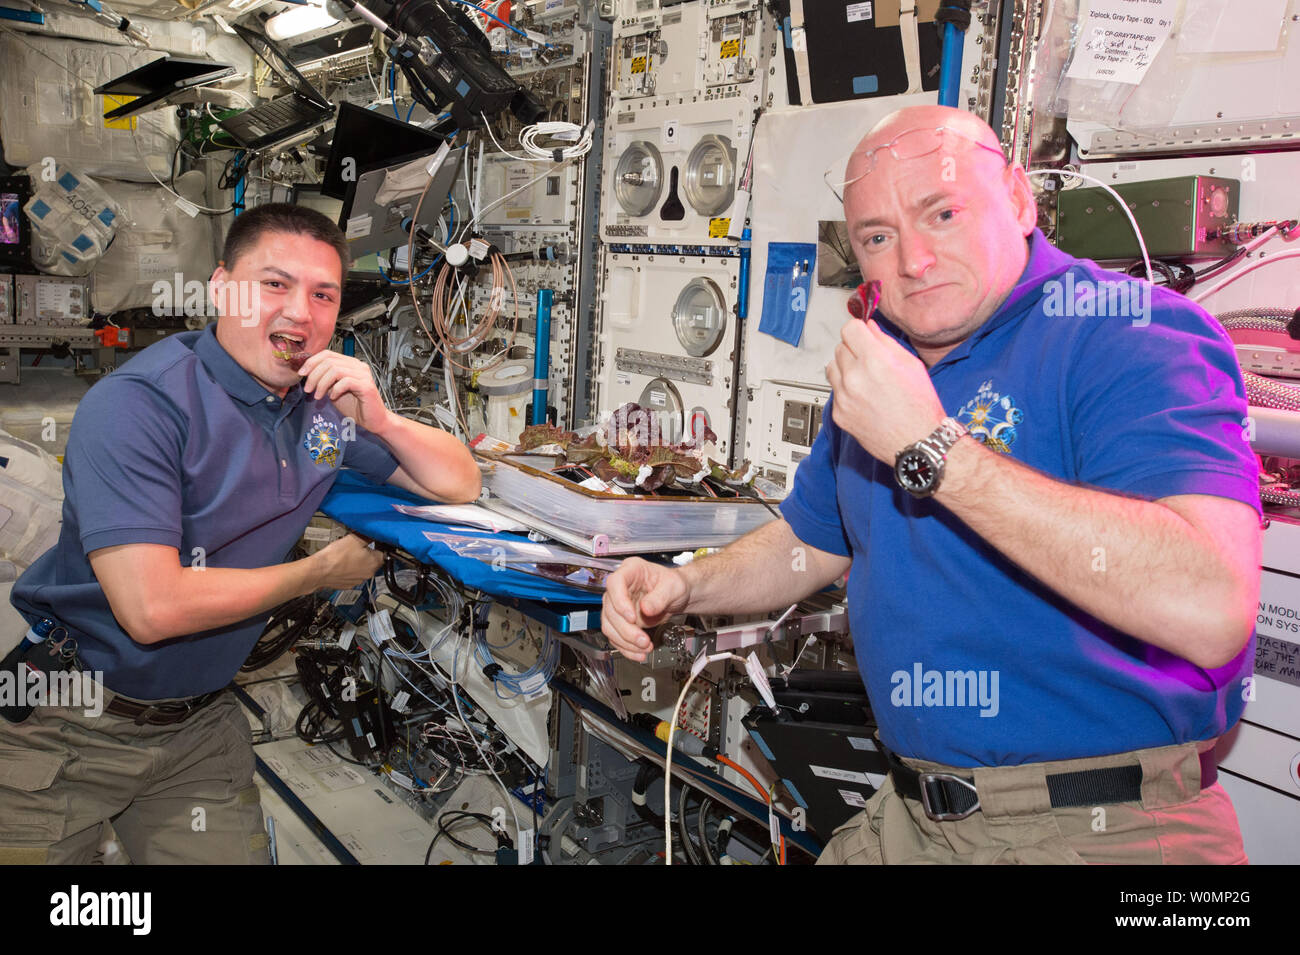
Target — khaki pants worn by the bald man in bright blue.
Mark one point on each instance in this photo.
(1175, 823)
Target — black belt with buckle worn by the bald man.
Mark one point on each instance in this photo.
(948, 797)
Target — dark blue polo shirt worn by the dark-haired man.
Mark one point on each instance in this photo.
(183, 448)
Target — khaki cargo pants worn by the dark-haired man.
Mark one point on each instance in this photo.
(174, 795)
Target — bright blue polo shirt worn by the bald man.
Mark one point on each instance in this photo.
(968, 659)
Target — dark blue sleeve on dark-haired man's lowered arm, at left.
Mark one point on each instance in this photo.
(124, 466)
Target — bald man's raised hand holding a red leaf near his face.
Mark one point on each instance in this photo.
(883, 394)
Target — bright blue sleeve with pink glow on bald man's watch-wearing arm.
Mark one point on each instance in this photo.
(1159, 409)
